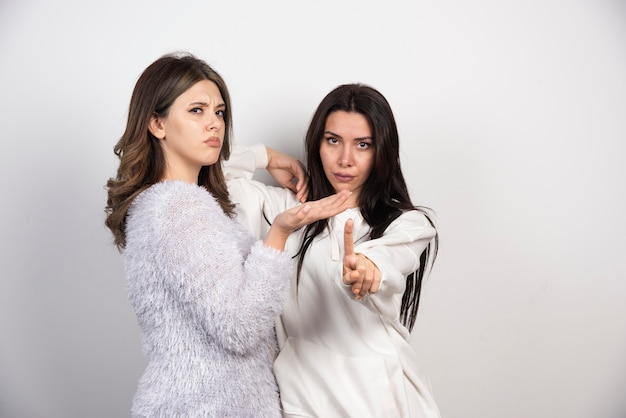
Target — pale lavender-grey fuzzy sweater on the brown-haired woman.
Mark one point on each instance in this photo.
(206, 295)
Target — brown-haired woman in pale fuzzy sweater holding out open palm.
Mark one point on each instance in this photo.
(205, 292)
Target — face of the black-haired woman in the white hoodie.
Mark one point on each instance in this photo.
(347, 152)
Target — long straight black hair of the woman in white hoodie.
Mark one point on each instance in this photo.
(384, 196)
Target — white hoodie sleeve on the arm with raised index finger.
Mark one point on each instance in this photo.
(396, 254)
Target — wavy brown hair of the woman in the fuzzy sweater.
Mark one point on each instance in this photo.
(142, 162)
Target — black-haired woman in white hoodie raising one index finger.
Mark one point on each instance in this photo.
(344, 330)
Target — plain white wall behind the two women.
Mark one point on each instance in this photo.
(512, 117)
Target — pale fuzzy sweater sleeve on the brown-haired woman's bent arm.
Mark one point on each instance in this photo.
(232, 285)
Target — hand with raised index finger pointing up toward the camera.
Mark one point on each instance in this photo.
(358, 270)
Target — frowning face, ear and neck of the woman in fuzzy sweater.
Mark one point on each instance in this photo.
(192, 133)
